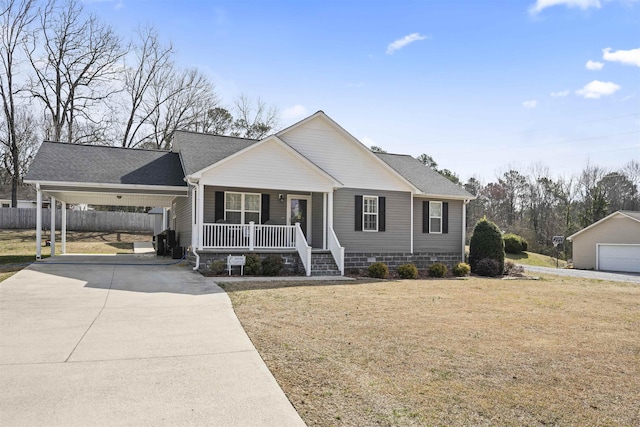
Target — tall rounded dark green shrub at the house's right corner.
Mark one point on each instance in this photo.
(486, 242)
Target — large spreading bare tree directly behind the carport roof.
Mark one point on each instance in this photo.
(74, 69)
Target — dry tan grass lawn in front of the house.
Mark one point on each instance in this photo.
(558, 351)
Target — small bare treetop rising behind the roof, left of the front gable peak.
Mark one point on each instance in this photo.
(253, 119)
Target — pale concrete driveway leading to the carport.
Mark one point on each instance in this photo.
(90, 343)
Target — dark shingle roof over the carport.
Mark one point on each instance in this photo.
(63, 162)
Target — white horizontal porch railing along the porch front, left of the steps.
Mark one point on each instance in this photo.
(248, 236)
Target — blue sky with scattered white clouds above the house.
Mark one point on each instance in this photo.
(480, 86)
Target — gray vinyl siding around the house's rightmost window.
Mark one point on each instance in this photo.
(430, 242)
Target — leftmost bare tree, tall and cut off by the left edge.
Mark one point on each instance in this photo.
(16, 16)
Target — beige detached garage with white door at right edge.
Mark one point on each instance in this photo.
(611, 244)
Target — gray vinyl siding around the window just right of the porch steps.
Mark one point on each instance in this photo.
(396, 238)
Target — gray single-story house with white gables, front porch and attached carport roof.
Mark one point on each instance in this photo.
(311, 192)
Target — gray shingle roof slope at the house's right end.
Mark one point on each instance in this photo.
(430, 182)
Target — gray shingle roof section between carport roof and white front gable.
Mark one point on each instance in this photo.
(200, 150)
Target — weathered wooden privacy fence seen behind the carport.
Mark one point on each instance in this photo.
(25, 218)
